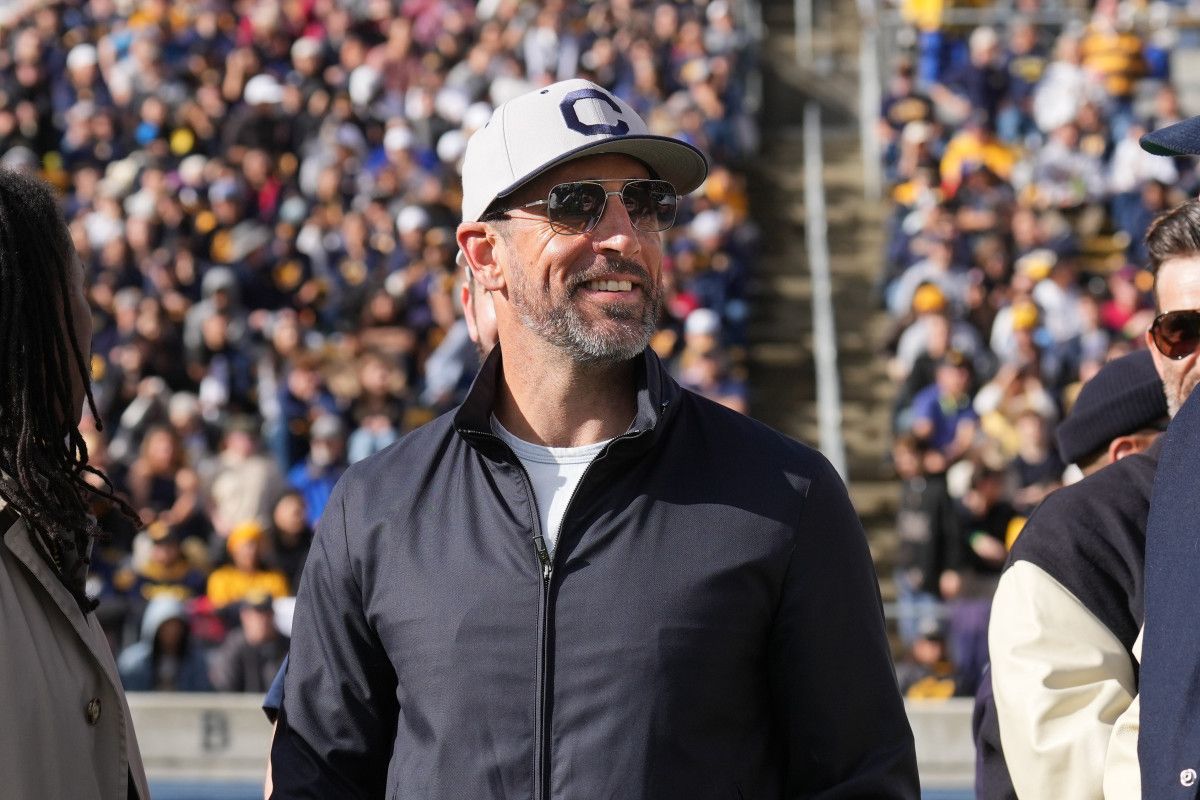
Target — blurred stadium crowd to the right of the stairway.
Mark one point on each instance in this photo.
(1015, 270)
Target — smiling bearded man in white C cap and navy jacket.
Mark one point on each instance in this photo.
(587, 582)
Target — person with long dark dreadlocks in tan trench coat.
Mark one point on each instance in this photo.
(68, 733)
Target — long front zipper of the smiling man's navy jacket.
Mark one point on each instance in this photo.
(547, 562)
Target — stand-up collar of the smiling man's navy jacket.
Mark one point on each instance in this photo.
(658, 395)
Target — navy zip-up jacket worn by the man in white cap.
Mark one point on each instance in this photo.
(710, 625)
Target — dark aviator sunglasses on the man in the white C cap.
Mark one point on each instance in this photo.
(577, 208)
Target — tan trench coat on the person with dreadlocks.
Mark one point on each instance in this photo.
(65, 729)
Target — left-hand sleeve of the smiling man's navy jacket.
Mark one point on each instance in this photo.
(339, 714)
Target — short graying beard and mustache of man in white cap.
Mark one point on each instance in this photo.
(560, 323)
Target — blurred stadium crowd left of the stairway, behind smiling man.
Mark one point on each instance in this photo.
(265, 196)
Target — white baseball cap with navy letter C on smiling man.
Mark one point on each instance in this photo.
(561, 123)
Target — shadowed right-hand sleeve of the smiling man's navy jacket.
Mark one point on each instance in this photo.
(841, 717)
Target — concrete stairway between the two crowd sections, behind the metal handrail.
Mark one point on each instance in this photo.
(782, 369)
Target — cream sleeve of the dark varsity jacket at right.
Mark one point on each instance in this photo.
(1061, 679)
